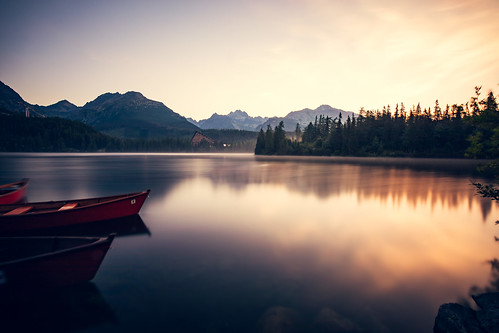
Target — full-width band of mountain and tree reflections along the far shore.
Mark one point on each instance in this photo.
(419, 181)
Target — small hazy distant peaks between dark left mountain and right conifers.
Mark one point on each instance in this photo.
(238, 120)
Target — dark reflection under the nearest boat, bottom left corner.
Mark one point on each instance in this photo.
(66, 309)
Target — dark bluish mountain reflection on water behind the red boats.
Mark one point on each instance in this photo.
(62, 176)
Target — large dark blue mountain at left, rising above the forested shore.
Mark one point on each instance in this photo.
(129, 115)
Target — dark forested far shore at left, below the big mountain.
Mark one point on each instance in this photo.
(52, 134)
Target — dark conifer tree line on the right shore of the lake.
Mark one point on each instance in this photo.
(470, 130)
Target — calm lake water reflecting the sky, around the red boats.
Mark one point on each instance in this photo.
(238, 243)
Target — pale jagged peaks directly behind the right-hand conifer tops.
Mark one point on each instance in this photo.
(304, 117)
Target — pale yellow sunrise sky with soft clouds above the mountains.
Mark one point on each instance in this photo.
(266, 57)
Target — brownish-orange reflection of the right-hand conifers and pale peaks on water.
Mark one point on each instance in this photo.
(393, 184)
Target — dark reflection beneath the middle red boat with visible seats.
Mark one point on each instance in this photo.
(125, 226)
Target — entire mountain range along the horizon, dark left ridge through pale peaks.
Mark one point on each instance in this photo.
(131, 115)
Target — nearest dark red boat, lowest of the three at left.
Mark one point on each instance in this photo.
(50, 261)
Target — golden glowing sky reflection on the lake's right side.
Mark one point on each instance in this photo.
(381, 229)
